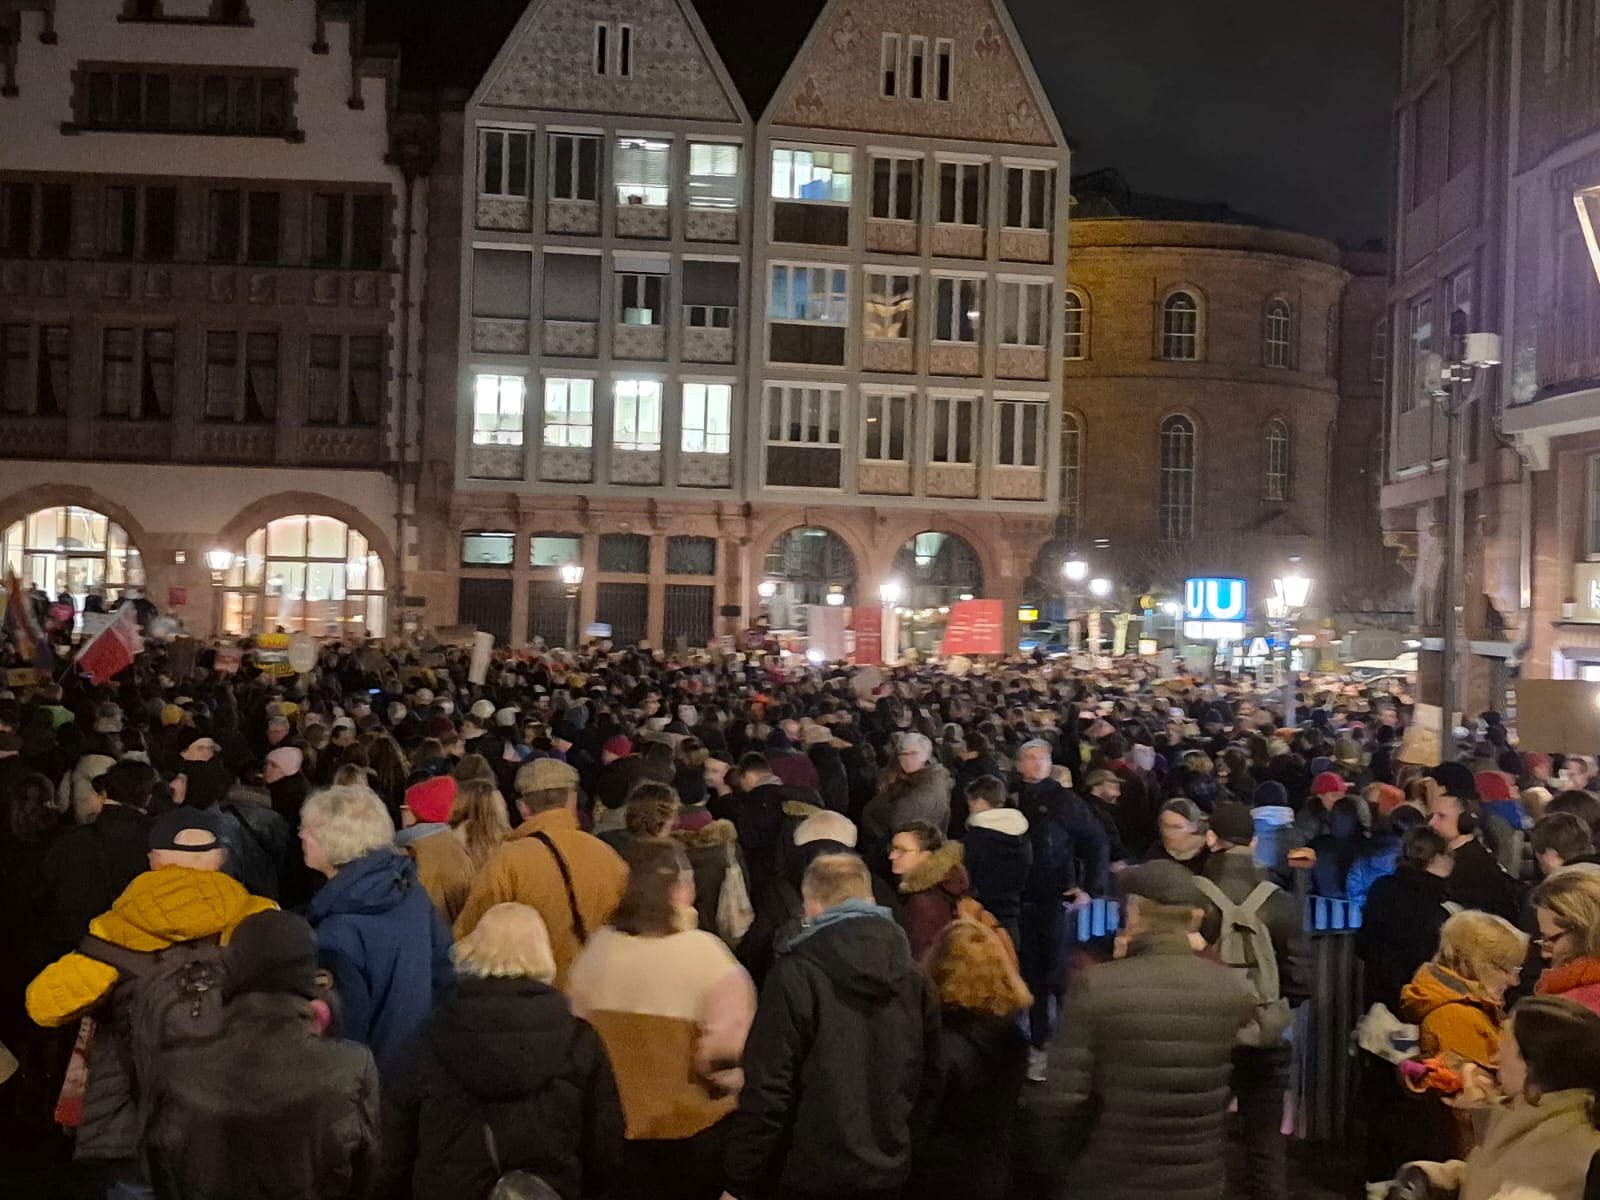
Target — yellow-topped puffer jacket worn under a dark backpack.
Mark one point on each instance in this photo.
(159, 910)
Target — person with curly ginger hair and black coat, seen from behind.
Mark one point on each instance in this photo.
(966, 1153)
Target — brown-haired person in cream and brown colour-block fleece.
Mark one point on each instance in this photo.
(674, 1009)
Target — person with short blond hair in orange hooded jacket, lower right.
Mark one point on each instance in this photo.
(1457, 1004)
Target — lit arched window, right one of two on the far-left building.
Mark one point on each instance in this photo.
(306, 574)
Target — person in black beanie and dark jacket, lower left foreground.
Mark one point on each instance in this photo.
(306, 1122)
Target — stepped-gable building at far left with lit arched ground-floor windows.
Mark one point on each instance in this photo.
(202, 270)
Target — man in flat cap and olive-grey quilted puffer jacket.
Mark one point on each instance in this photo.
(1135, 1105)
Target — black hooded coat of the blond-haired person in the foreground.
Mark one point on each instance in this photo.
(505, 1054)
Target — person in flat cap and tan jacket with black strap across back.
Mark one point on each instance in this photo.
(548, 863)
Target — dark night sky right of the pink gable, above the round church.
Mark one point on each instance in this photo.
(1276, 108)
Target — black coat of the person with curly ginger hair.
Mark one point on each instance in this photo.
(967, 1150)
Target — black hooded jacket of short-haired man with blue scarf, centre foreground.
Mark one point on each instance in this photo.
(836, 1063)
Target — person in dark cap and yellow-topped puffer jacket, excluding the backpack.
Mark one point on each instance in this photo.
(185, 897)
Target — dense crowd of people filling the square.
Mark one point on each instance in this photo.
(625, 926)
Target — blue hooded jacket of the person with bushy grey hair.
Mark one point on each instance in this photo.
(388, 950)
